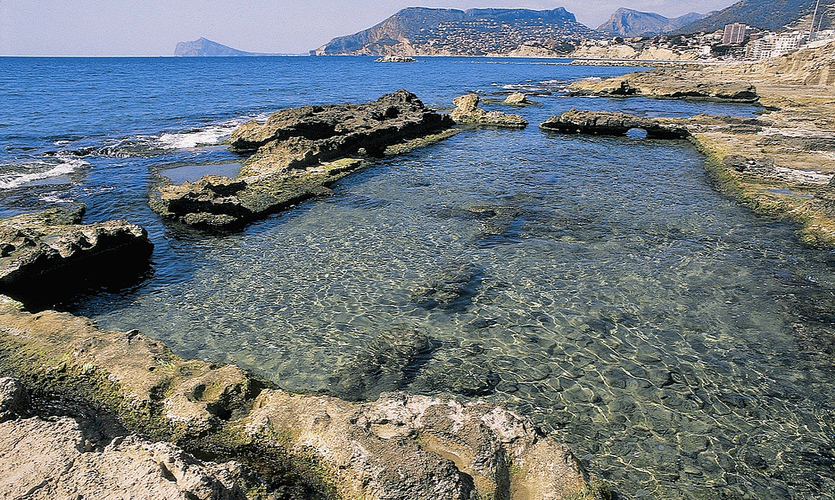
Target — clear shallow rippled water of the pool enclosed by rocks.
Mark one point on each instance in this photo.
(600, 286)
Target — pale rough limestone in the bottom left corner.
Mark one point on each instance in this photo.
(52, 459)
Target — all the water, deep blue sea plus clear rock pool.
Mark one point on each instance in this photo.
(679, 344)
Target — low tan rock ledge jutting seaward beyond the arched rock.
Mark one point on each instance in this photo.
(663, 83)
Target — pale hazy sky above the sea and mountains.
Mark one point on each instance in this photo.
(153, 27)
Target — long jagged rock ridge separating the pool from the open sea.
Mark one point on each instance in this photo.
(297, 154)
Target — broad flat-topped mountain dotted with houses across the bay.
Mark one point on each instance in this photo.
(425, 31)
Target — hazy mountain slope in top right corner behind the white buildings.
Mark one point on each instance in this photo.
(772, 15)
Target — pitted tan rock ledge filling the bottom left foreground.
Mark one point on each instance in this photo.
(168, 409)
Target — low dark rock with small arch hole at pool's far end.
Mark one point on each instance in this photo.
(611, 123)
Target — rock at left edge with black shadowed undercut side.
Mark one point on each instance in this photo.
(49, 255)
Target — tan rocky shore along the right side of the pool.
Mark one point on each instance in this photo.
(779, 163)
